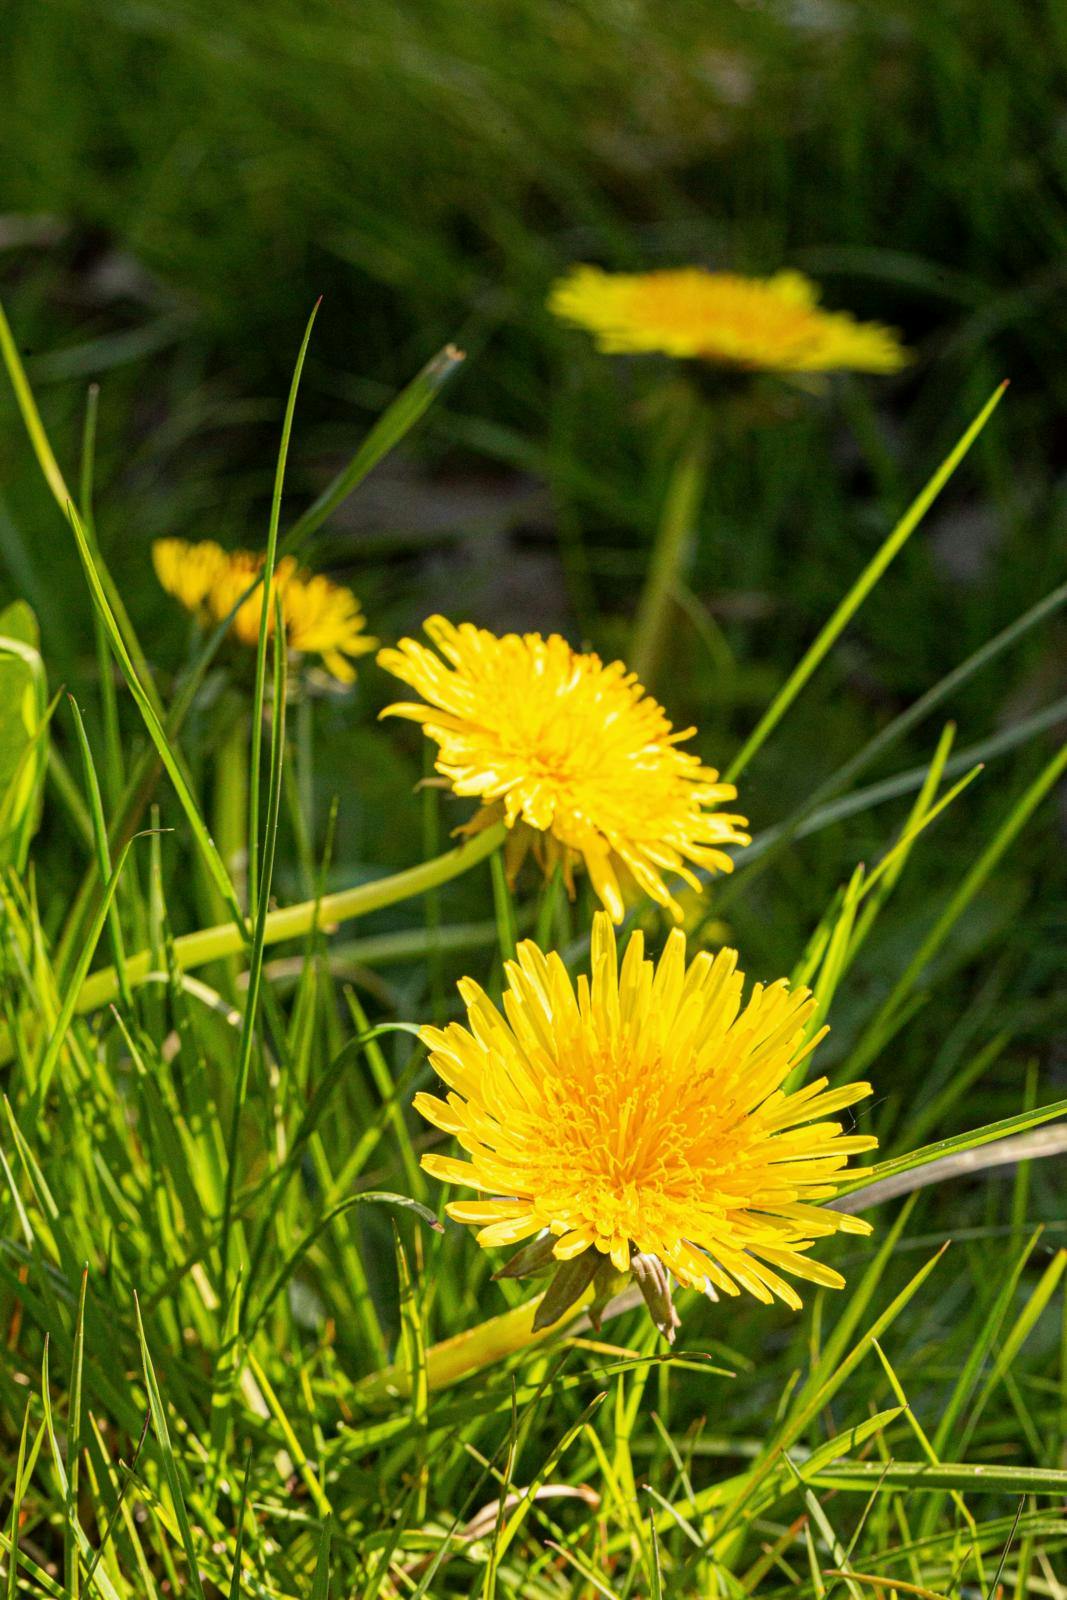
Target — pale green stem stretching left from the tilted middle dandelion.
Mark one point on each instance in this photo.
(294, 922)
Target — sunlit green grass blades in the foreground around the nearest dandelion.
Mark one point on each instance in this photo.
(226, 1295)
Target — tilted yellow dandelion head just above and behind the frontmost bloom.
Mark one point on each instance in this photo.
(573, 754)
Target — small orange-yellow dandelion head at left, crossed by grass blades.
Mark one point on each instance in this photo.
(321, 618)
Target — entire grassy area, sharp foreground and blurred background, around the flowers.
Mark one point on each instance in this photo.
(215, 1228)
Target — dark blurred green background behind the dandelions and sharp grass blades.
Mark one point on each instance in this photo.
(183, 180)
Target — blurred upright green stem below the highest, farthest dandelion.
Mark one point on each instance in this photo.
(671, 554)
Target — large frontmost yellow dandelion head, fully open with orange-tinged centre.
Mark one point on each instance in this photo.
(642, 1114)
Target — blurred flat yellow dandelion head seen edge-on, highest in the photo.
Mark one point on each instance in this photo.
(757, 324)
